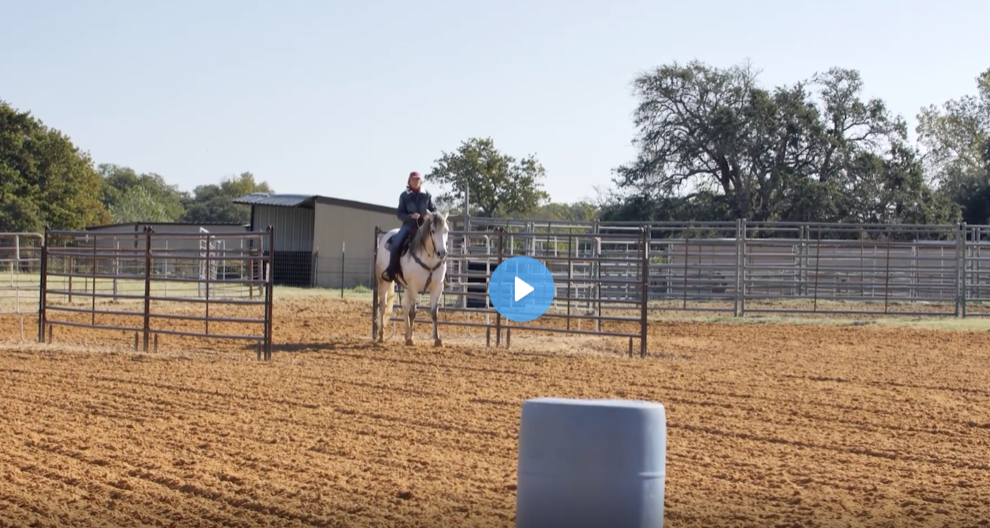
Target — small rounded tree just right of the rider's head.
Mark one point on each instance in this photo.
(498, 184)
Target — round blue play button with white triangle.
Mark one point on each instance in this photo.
(521, 289)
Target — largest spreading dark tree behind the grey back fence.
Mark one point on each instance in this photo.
(812, 151)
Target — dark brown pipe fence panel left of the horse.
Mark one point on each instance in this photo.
(216, 286)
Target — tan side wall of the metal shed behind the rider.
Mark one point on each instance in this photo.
(340, 228)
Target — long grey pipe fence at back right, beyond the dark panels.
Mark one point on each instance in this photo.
(741, 267)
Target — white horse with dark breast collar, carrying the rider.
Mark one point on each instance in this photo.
(424, 268)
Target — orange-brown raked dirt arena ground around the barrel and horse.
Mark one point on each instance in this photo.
(769, 424)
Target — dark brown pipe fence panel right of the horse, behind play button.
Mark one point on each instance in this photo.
(597, 293)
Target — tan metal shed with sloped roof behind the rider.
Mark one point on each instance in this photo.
(320, 241)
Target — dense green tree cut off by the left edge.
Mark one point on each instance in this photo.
(44, 178)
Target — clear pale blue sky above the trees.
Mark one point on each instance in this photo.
(345, 98)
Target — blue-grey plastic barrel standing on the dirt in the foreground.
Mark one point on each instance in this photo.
(591, 463)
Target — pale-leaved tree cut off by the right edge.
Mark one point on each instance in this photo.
(956, 139)
